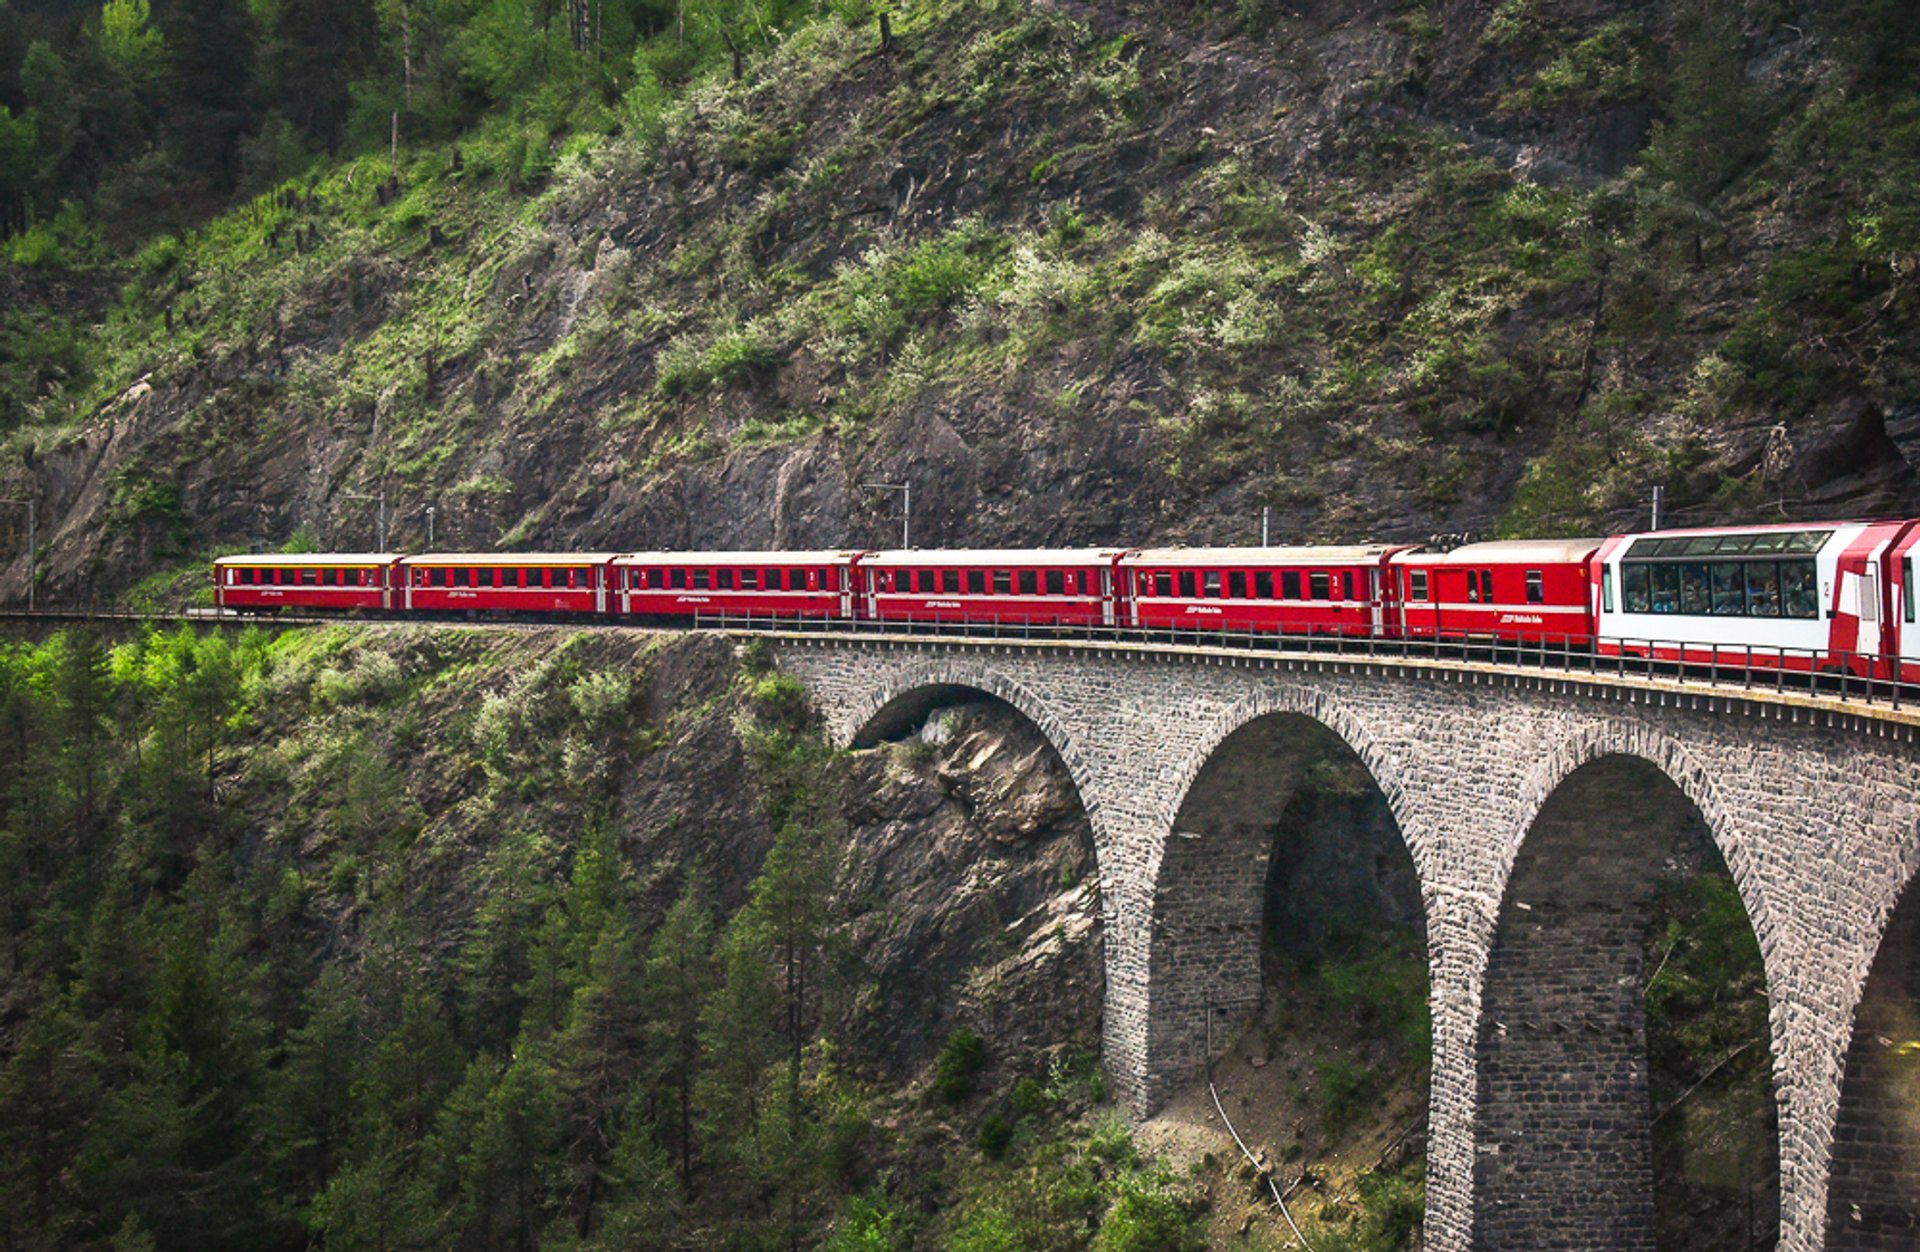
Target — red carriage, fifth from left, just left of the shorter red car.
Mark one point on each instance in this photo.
(1293, 590)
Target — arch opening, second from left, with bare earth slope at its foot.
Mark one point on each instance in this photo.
(1289, 965)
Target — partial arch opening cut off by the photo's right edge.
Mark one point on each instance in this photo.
(1875, 1180)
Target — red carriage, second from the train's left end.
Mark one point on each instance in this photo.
(506, 583)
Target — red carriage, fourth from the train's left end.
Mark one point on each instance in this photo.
(1070, 587)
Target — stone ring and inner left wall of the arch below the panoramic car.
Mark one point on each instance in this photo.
(1564, 1144)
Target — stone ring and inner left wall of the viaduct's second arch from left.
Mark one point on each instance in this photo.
(1205, 934)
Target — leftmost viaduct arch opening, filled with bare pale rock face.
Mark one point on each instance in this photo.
(953, 784)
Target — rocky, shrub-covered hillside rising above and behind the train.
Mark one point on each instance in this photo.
(688, 274)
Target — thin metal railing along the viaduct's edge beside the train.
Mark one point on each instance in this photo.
(1854, 679)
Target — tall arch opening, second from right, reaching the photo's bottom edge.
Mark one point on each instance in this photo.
(1625, 1094)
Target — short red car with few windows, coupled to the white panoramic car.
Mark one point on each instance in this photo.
(1533, 590)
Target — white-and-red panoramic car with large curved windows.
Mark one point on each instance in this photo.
(1802, 598)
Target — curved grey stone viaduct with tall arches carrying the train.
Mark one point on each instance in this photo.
(1539, 811)
